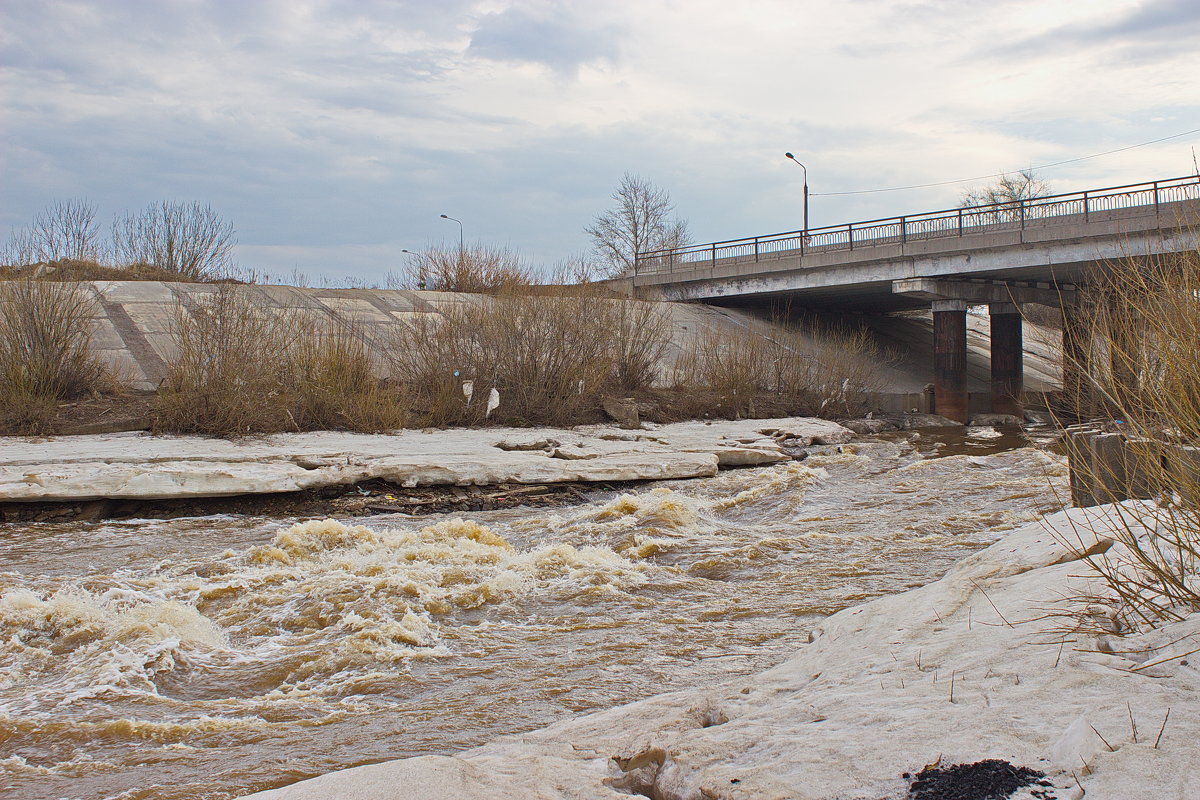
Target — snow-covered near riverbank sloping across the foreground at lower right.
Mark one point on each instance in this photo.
(974, 666)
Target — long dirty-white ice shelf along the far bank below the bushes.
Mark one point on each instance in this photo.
(140, 466)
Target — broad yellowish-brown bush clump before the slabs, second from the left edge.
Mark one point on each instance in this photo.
(245, 370)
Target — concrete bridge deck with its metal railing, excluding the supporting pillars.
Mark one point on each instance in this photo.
(853, 267)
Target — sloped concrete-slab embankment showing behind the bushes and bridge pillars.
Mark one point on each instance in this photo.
(135, 327)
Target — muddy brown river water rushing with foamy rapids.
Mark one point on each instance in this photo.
(215, 657)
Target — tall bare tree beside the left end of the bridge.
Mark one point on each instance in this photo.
(641, 222)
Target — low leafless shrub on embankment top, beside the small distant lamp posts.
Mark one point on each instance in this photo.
(472, 269)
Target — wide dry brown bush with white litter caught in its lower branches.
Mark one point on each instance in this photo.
(551, 357)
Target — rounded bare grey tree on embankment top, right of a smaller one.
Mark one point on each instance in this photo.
(189, 239)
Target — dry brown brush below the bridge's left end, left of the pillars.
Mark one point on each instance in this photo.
(770, 370)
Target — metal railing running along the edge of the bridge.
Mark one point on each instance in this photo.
(1013, 215)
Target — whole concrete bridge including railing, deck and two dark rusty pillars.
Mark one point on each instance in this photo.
(1034, 251)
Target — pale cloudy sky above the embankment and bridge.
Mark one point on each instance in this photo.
(334, 134)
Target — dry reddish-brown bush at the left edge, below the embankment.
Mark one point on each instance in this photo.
(45, 358)
